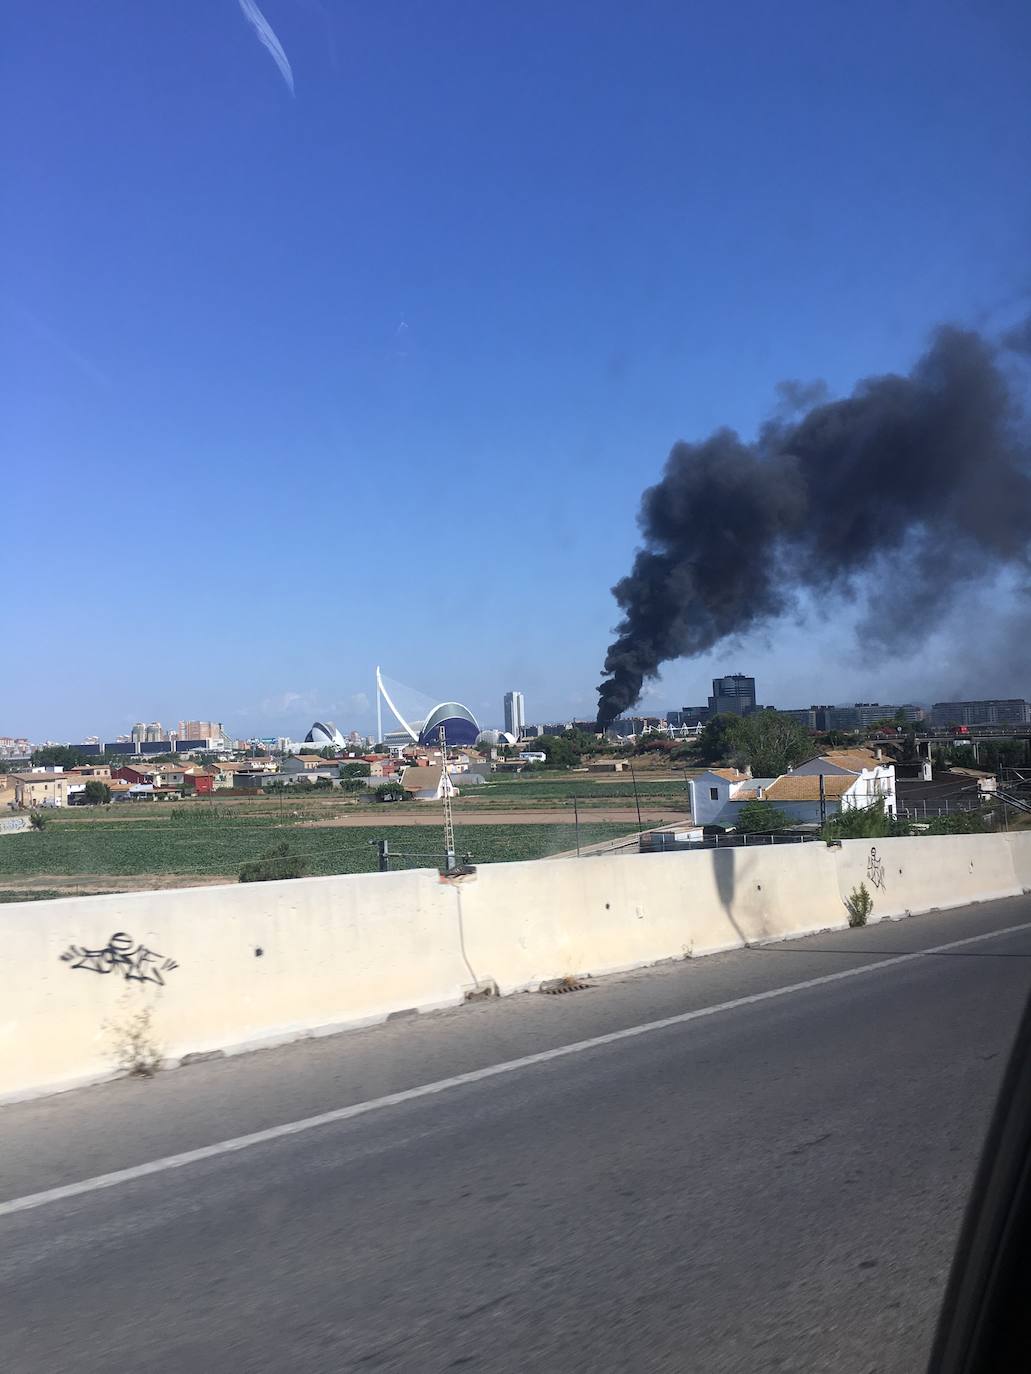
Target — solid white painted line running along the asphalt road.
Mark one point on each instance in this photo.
(277, 1133)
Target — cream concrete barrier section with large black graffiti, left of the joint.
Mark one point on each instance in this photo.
(200, 969)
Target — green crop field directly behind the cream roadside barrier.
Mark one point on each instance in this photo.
(184, 843)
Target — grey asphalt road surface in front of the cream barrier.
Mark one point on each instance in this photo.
(773, 1186)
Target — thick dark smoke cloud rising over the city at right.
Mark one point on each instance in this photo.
(894, 498)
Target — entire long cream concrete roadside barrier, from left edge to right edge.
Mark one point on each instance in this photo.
(222, 969)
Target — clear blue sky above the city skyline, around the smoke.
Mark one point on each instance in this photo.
(490, 260)
